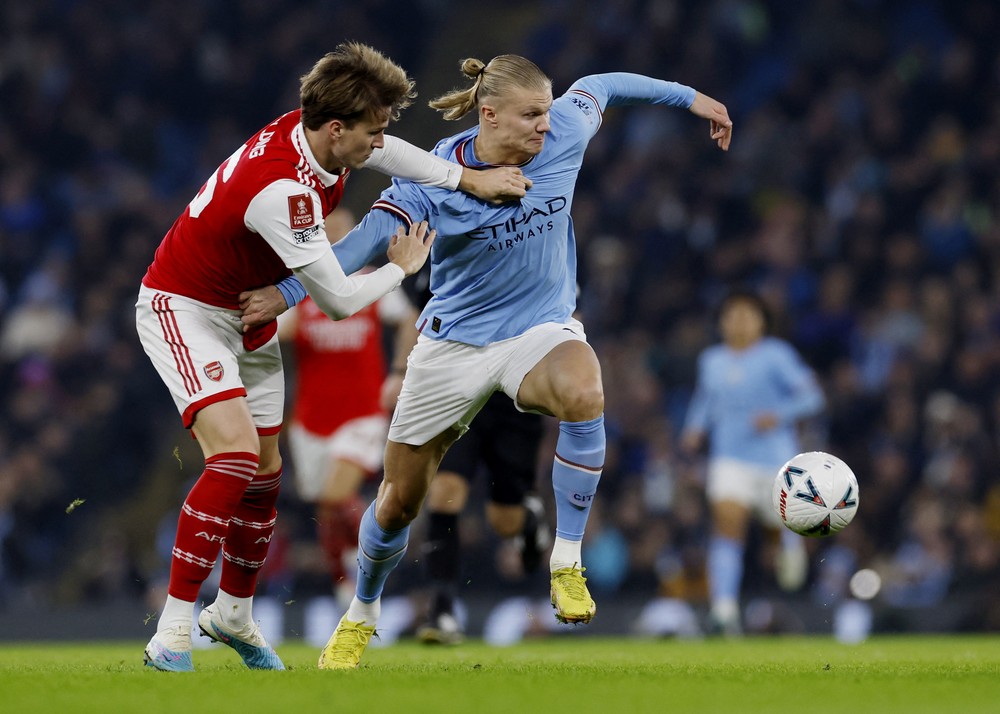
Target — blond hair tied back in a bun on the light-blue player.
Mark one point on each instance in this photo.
(502, 75)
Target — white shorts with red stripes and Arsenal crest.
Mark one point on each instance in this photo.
(198, 351)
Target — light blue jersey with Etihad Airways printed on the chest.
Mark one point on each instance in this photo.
(498, 270)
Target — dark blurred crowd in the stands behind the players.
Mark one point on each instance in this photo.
(860, 197)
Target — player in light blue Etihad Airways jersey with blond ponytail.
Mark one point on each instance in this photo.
(501, 318)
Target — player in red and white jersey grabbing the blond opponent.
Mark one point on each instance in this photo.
(258, 219)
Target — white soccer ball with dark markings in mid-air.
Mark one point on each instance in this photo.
(815, 494)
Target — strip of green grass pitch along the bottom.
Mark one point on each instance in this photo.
(561, 674)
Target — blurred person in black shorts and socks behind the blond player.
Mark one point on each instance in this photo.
(502, 444)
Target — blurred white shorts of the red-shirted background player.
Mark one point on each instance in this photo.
(360, 441)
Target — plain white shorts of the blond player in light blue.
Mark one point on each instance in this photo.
(447, 383)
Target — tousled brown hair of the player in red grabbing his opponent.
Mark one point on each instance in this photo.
(352, 82)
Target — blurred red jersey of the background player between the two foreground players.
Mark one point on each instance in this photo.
(340, 367)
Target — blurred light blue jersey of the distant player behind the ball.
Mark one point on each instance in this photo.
(735, 385)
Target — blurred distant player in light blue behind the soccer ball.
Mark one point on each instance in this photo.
(751, 392)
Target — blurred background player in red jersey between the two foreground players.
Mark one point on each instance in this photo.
(339, 420)
